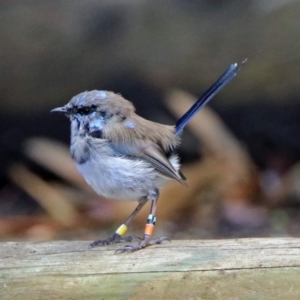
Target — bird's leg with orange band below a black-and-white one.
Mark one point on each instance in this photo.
(149, 228)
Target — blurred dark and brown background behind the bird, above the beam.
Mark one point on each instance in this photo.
(240, 154)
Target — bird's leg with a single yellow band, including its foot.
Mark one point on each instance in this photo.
(117, 236)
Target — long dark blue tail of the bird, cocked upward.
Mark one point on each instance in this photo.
(207, 96)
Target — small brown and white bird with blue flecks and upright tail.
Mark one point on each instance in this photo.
(126, 157)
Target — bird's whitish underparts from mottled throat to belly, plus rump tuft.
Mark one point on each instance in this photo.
(115, 177)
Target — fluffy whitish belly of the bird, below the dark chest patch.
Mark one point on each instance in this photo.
(118, 177)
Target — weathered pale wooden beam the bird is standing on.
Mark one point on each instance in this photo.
(220, 269)
